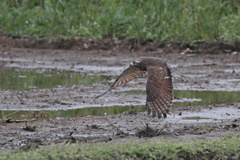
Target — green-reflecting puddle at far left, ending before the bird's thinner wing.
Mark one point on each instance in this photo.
(23, 79)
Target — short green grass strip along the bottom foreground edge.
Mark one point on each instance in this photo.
(225, 148)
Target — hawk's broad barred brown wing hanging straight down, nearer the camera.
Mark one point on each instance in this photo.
(159, 91)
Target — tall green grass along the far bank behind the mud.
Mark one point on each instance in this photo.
(166, 20)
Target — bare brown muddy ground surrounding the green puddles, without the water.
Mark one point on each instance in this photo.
(201, 71)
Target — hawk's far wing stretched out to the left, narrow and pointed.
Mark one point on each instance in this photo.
(127, 75)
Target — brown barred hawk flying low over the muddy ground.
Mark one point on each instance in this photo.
(159, 83)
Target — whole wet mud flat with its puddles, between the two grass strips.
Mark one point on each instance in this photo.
(88, 73)
